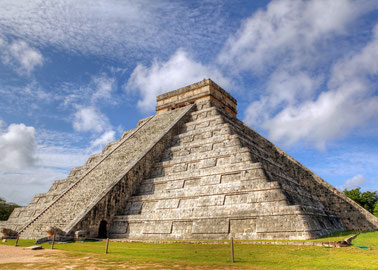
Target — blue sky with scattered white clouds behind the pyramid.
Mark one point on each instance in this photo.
(75, 74)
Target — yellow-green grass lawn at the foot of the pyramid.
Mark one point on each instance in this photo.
(210, 256)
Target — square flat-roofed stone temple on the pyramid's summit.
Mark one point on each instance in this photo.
(205, 90)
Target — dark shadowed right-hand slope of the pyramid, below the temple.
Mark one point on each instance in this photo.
(290, 172)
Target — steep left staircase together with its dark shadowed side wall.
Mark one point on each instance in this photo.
(91, 198)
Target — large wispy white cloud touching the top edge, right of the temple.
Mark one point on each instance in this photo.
(289, 32)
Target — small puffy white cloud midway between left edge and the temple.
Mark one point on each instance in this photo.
(90, 119)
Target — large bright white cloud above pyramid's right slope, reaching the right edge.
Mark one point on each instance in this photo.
(349, 102)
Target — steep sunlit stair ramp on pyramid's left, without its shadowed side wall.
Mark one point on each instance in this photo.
(99, 174)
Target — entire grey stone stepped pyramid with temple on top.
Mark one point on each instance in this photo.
(192, 171)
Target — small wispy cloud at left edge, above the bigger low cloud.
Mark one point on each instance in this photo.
(20, 55)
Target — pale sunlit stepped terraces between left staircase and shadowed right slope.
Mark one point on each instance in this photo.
(208, 185)
